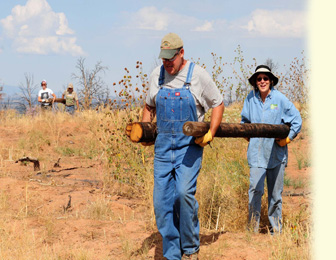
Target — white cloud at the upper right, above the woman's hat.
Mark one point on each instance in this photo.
(276, 23)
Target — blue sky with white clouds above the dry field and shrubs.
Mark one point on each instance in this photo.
(45, 38)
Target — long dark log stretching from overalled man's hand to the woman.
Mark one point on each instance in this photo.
(237, 130)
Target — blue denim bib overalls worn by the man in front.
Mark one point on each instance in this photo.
(177, 163)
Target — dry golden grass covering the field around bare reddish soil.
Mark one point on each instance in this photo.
(126, 171)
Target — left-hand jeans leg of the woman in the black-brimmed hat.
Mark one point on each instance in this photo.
(256, 191)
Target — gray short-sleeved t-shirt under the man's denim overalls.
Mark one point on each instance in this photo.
(204, 90)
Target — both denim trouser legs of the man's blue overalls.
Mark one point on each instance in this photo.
(175, 205)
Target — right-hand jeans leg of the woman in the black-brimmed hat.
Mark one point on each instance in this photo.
(275, 181)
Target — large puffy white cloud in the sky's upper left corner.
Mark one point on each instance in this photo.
(36, 28)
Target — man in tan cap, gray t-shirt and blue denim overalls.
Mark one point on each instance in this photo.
(179, 91)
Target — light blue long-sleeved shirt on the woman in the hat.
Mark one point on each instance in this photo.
(277, 109)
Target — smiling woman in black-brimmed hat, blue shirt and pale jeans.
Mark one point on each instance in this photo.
(267, 157)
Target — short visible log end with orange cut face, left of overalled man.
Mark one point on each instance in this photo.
(141, 132)
